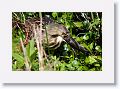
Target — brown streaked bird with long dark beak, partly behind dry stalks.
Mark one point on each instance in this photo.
(53, 34)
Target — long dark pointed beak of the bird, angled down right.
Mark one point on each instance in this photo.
(75, 45)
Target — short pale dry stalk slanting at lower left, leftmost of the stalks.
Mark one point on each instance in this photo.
(25, 56)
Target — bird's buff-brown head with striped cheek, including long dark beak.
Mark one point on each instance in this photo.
(57, 33)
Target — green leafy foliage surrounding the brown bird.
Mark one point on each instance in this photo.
(84, 27)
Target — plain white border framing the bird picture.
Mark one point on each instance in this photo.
(104, 6)
